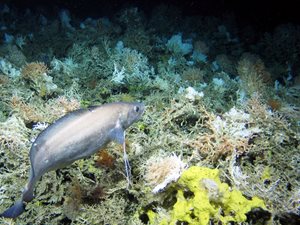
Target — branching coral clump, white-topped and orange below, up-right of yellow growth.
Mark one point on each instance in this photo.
(225, 135)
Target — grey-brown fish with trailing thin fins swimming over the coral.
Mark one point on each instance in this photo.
(77, 135)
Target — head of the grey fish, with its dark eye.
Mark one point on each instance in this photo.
(131, 112)
